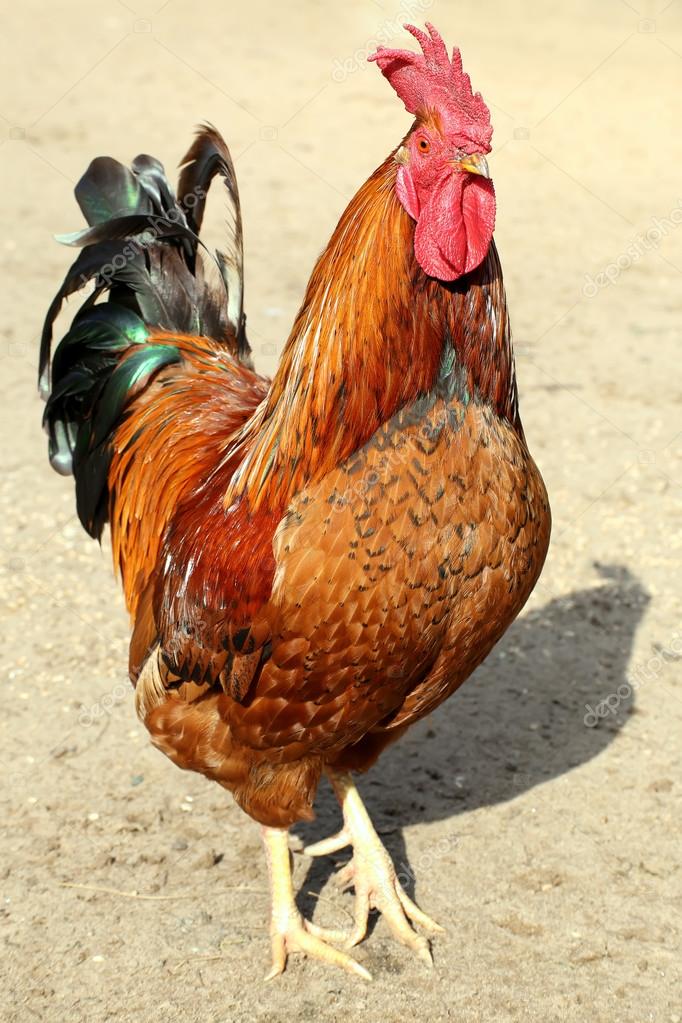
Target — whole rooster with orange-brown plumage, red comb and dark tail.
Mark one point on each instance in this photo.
(315, 563)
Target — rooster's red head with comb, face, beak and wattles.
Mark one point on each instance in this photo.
(443, 182)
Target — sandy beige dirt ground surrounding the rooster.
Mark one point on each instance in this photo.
(539, 811)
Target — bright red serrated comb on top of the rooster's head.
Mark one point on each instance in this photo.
(432, 81)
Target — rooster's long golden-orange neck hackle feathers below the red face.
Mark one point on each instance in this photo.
(371, 338)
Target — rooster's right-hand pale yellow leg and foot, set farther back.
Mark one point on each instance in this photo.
(373, 874)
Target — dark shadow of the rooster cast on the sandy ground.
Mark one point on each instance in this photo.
(552, 696)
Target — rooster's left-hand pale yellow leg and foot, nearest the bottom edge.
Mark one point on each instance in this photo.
(289, 931)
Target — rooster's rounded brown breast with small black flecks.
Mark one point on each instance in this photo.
(396, 575)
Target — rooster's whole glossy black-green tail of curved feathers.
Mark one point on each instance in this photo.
(142, 252)
